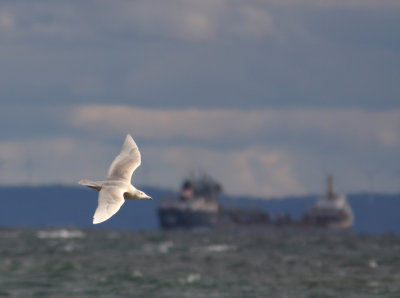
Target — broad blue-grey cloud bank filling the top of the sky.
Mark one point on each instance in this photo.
(205, 54)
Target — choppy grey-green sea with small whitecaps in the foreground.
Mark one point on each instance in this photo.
(197, 263)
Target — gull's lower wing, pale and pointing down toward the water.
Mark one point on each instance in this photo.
(110, 200)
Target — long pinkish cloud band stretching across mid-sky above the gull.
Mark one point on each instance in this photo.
(354, 127)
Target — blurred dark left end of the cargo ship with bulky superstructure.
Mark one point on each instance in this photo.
(195, 206)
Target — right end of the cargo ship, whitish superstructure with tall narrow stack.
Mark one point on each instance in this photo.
(330, 211)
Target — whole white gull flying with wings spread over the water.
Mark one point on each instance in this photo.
(117, 187)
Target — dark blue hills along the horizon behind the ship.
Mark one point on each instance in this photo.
(64, 206)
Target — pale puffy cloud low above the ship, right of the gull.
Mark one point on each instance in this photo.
(252, 171)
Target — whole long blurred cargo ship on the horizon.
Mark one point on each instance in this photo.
(196, 205)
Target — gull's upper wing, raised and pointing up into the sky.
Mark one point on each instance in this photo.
(126, 162)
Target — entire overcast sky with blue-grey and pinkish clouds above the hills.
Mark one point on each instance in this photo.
(267, 96)
